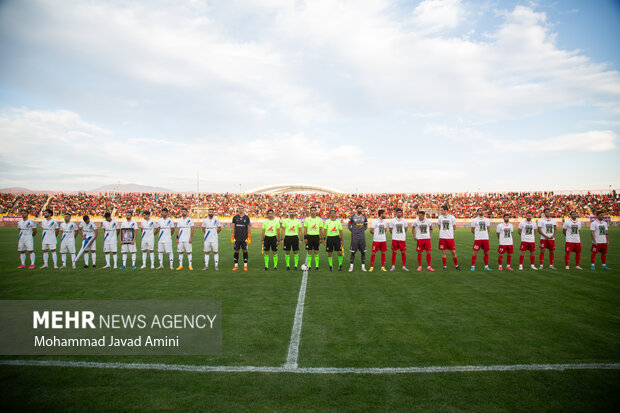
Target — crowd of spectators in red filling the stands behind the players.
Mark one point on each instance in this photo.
(256, 205)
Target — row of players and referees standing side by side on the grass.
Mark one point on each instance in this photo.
(315, 232)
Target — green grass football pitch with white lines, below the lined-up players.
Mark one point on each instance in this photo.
(339, 341)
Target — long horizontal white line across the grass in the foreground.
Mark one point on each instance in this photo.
(313, 370)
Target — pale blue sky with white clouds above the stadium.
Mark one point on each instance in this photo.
(360, 95)
